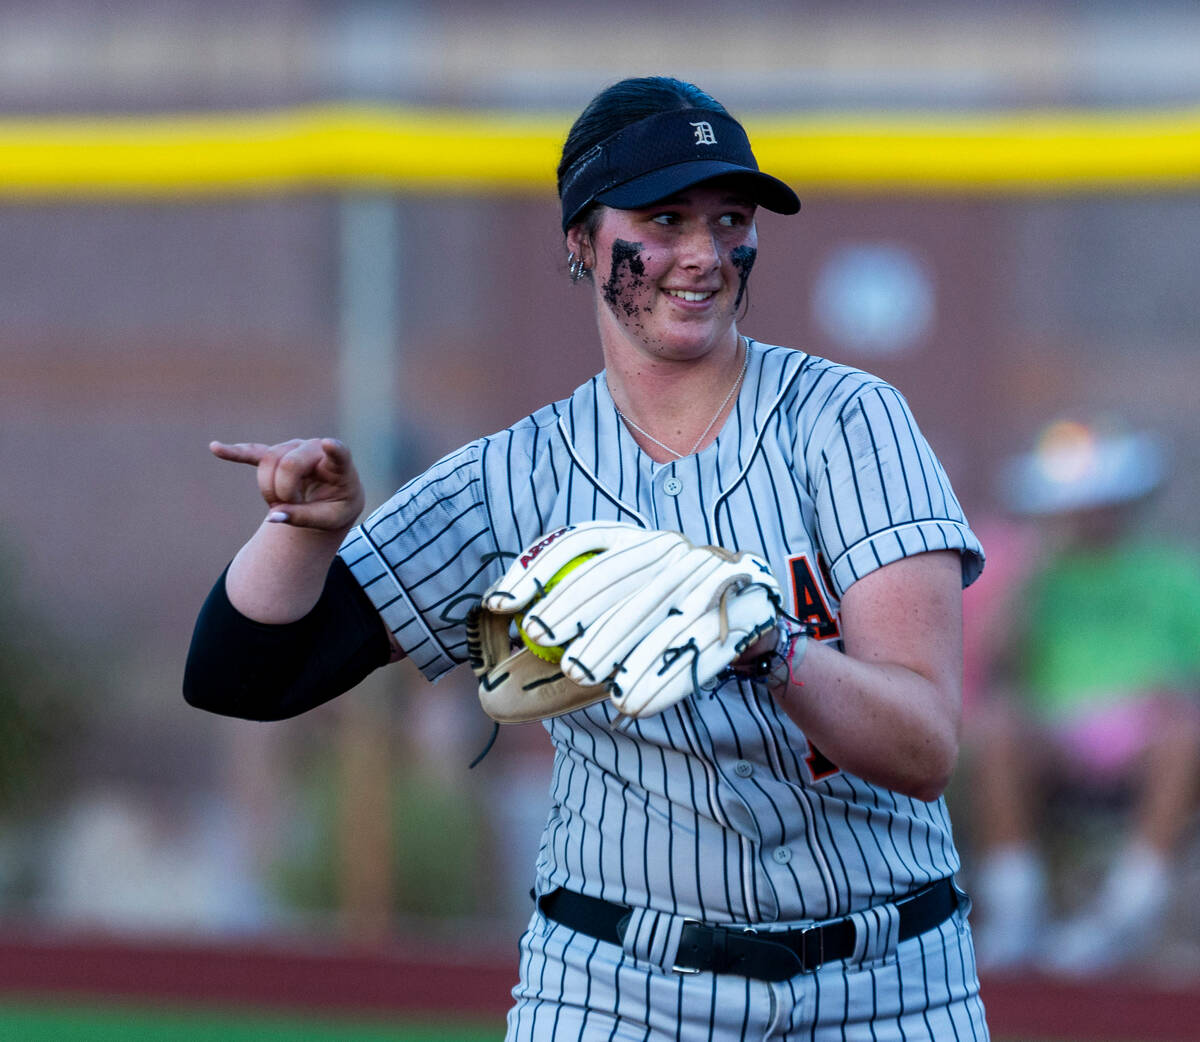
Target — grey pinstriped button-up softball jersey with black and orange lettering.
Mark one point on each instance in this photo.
(717, 809)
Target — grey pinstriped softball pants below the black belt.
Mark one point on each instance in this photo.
(575, 989)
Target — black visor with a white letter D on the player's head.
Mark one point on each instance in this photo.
(664, 154)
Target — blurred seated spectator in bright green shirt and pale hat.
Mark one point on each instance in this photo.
(1093, 650)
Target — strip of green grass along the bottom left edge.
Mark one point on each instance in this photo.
(40, 1022)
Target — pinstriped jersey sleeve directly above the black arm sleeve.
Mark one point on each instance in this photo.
(425, 556)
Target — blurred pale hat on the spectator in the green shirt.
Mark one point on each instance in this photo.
(1075, 468)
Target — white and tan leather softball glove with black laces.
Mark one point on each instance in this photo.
(610, 609)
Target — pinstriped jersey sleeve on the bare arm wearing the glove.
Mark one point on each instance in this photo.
(881, 494)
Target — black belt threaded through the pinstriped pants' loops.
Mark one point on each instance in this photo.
(742, 950)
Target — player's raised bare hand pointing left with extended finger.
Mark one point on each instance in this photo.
(307, 483)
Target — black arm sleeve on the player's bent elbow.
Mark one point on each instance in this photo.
(241, 668)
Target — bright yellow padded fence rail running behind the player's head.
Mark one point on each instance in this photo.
(397, 149)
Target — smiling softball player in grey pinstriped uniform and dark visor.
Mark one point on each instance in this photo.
(766, 859)
